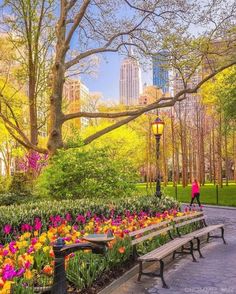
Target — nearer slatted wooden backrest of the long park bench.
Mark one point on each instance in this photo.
(150, 232)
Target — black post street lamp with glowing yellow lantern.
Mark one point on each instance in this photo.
(157, 128)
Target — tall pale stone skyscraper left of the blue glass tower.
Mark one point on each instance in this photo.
(130, 81)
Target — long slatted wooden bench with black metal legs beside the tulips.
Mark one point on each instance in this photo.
(172, 246)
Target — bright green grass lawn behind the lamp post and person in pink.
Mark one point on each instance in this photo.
(226, 195)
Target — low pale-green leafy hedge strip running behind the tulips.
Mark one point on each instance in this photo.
(20, 218)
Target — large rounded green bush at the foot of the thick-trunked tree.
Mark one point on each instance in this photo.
(76, 174)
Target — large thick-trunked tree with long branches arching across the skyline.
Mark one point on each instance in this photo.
(149, 26)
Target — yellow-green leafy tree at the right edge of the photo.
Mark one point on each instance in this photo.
(220, 95)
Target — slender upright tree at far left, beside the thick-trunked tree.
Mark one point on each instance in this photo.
(29, 27)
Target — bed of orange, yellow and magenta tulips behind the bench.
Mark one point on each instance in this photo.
(28, 261)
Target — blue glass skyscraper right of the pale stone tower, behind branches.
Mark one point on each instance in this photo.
(160, 72)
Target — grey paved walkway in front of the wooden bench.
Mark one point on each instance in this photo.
(215, 274)
